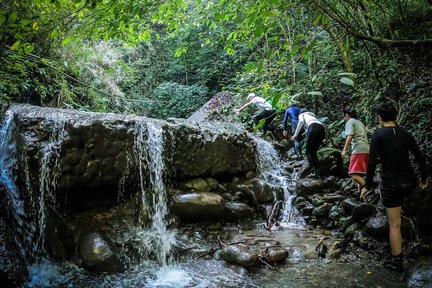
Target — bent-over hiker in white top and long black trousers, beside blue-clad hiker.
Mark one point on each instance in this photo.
(315, 134)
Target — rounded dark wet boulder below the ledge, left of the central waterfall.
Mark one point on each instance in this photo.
(97, 254)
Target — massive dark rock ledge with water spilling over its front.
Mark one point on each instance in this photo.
(92, 155)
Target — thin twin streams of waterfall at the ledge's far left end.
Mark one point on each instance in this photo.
(29, 217)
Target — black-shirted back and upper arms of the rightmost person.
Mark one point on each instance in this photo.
(394, 145)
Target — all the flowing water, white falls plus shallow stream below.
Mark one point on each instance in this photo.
(300, 270)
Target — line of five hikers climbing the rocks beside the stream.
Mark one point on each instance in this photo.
(390, 146)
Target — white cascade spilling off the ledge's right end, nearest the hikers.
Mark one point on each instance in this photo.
(271, 169)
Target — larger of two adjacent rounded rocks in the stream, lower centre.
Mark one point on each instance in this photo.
(239, 255)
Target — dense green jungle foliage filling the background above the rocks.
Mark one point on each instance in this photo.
(166, 58)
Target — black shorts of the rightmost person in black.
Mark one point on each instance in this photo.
(393, 194)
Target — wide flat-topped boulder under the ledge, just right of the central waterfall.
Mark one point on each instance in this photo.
(203, 206)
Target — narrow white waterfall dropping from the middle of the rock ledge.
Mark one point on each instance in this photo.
(150, 155)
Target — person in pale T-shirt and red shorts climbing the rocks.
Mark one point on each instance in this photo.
(356, 137)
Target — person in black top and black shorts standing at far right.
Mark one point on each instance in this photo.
(390, 146)
